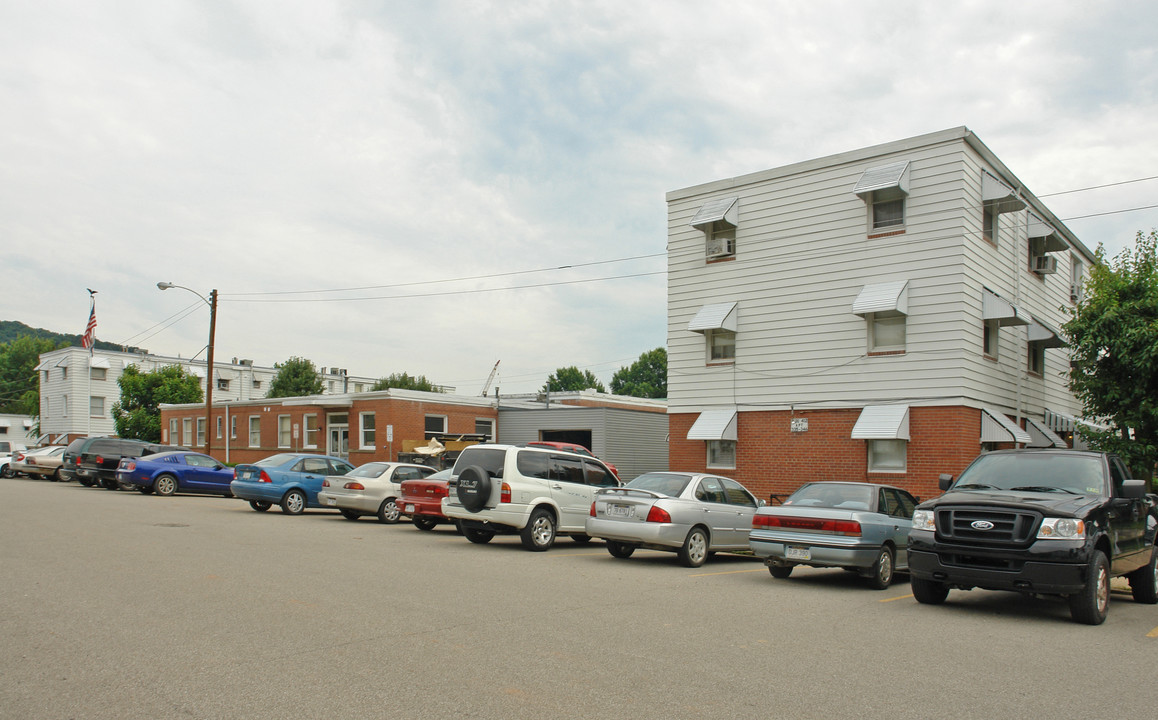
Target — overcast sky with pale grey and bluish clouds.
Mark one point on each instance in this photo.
(451, 160)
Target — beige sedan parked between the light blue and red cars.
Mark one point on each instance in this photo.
(370, 490)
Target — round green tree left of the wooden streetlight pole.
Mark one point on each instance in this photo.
(138, 413)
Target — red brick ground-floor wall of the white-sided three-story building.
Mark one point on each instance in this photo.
(771, 459)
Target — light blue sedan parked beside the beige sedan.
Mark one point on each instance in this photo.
(289, 480)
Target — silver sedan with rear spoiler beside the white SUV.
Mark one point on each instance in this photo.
(690, 513)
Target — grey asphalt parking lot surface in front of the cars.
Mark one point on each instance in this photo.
(123, 606)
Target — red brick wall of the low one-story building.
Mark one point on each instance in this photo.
(408, 418)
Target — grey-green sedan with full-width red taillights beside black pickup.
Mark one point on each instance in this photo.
(857, 526)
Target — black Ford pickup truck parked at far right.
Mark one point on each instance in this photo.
(1042, 523)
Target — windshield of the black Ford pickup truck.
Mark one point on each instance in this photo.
(1045, 473)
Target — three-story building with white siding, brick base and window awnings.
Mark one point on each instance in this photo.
(883, 315)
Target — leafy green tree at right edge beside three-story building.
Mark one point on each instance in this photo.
(1113, 336)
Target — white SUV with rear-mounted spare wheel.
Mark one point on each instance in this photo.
(537, 493)
